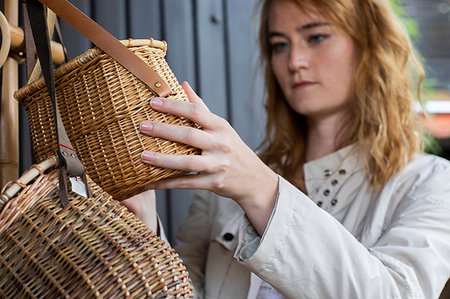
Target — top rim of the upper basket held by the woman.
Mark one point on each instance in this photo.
(84, 58)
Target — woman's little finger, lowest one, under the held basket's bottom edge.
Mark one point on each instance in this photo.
(192, 181)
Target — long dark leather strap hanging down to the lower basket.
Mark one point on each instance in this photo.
(69, 163)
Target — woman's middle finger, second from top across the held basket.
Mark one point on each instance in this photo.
(183, 134)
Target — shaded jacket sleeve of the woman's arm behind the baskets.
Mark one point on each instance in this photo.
(193, 241)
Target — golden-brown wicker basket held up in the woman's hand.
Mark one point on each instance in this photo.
(102, 105)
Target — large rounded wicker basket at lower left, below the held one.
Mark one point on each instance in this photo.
(91, 248)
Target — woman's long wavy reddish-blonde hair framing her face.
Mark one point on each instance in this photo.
(382, 124)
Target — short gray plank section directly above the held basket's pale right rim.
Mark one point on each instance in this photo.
(144, 19)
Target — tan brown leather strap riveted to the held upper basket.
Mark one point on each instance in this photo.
(109, 44)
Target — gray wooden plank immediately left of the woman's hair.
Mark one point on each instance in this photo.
(245, 92)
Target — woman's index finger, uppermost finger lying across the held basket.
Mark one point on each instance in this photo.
(195, 112)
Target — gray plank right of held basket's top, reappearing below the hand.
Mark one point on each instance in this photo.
(179, 35)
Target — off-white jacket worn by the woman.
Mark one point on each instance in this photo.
(357, 244)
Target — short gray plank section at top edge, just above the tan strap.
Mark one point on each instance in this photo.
(111, 15)
